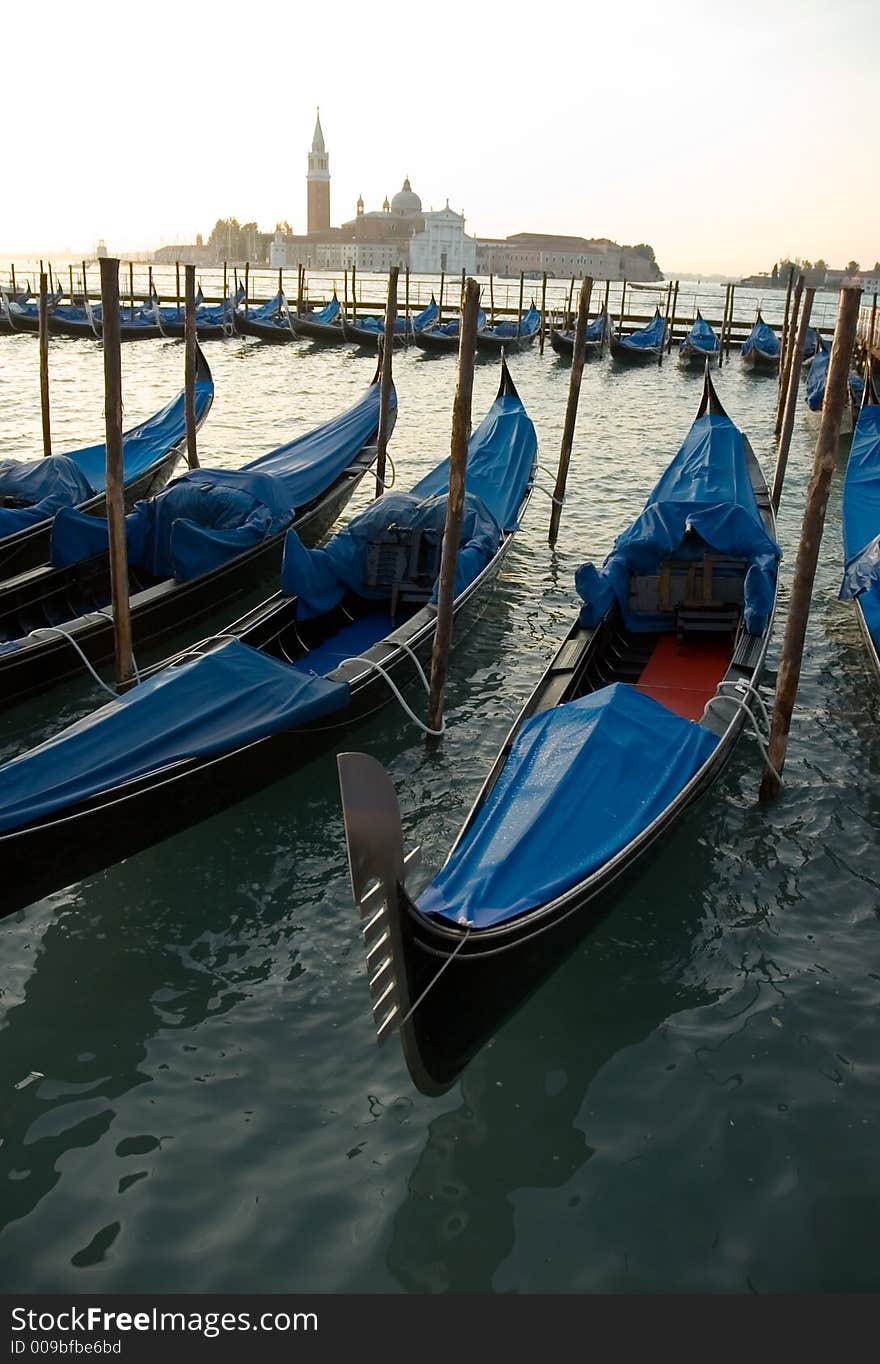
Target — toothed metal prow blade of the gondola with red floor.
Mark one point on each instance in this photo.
(379, 870)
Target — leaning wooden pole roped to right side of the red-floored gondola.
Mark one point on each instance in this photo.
(825, 462)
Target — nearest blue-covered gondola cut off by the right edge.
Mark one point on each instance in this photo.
(862, 524)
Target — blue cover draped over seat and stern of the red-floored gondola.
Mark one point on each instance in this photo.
(705, 500)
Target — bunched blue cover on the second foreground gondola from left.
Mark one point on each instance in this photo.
(211, 516)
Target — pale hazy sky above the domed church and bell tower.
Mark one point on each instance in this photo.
(725, 137)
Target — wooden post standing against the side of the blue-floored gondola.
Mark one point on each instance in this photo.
(455, 501)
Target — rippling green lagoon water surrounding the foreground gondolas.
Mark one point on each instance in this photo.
(690, 1104)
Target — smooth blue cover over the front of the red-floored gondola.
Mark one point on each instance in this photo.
(581, 784)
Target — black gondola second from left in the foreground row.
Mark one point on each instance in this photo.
(207, 537)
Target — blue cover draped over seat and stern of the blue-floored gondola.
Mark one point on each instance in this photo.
(501, 460)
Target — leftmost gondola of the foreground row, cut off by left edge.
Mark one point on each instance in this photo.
(33, 493)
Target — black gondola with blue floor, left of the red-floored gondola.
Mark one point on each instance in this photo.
(248, 707)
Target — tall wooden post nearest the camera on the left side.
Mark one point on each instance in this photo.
(115, 475)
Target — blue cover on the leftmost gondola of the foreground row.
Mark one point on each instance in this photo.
(50, 485)
